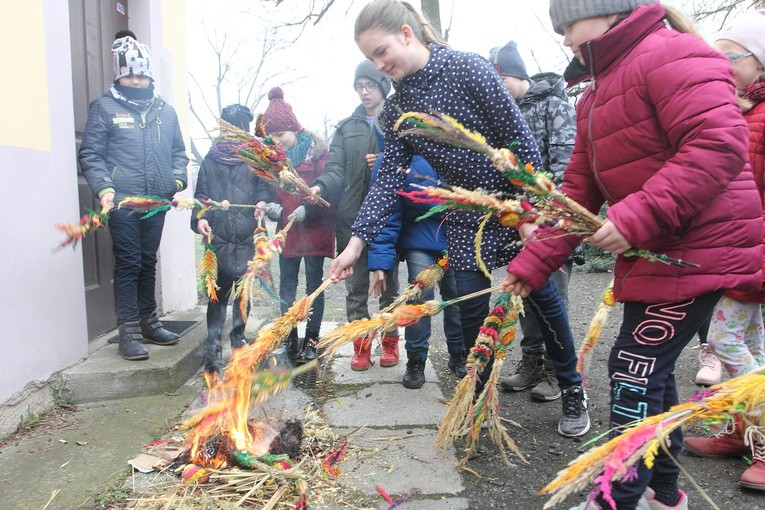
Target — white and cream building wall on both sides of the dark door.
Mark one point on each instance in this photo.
(42, 300)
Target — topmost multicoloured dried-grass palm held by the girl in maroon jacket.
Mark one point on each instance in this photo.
(536, 184)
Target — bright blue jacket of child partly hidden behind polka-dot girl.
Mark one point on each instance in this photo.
(403, 232)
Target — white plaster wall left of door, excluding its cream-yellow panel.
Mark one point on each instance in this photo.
(42, 300)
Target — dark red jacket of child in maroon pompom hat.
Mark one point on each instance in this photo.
(316, 234)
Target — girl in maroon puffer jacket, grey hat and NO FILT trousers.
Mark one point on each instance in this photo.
(666, 148)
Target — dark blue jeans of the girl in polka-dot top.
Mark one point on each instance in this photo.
(546, 302)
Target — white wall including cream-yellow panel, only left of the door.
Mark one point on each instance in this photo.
(43, 306)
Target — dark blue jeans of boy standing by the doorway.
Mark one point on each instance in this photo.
(135, 243)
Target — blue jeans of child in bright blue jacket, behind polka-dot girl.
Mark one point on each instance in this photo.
(418, 335)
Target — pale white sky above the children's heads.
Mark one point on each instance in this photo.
(316, 67)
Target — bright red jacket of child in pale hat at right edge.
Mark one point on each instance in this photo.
(756, 119)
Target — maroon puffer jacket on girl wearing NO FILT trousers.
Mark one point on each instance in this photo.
(661, 139)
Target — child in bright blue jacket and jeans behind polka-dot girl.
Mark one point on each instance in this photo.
(420, 244)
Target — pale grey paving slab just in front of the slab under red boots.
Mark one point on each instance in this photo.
(387, 405)
